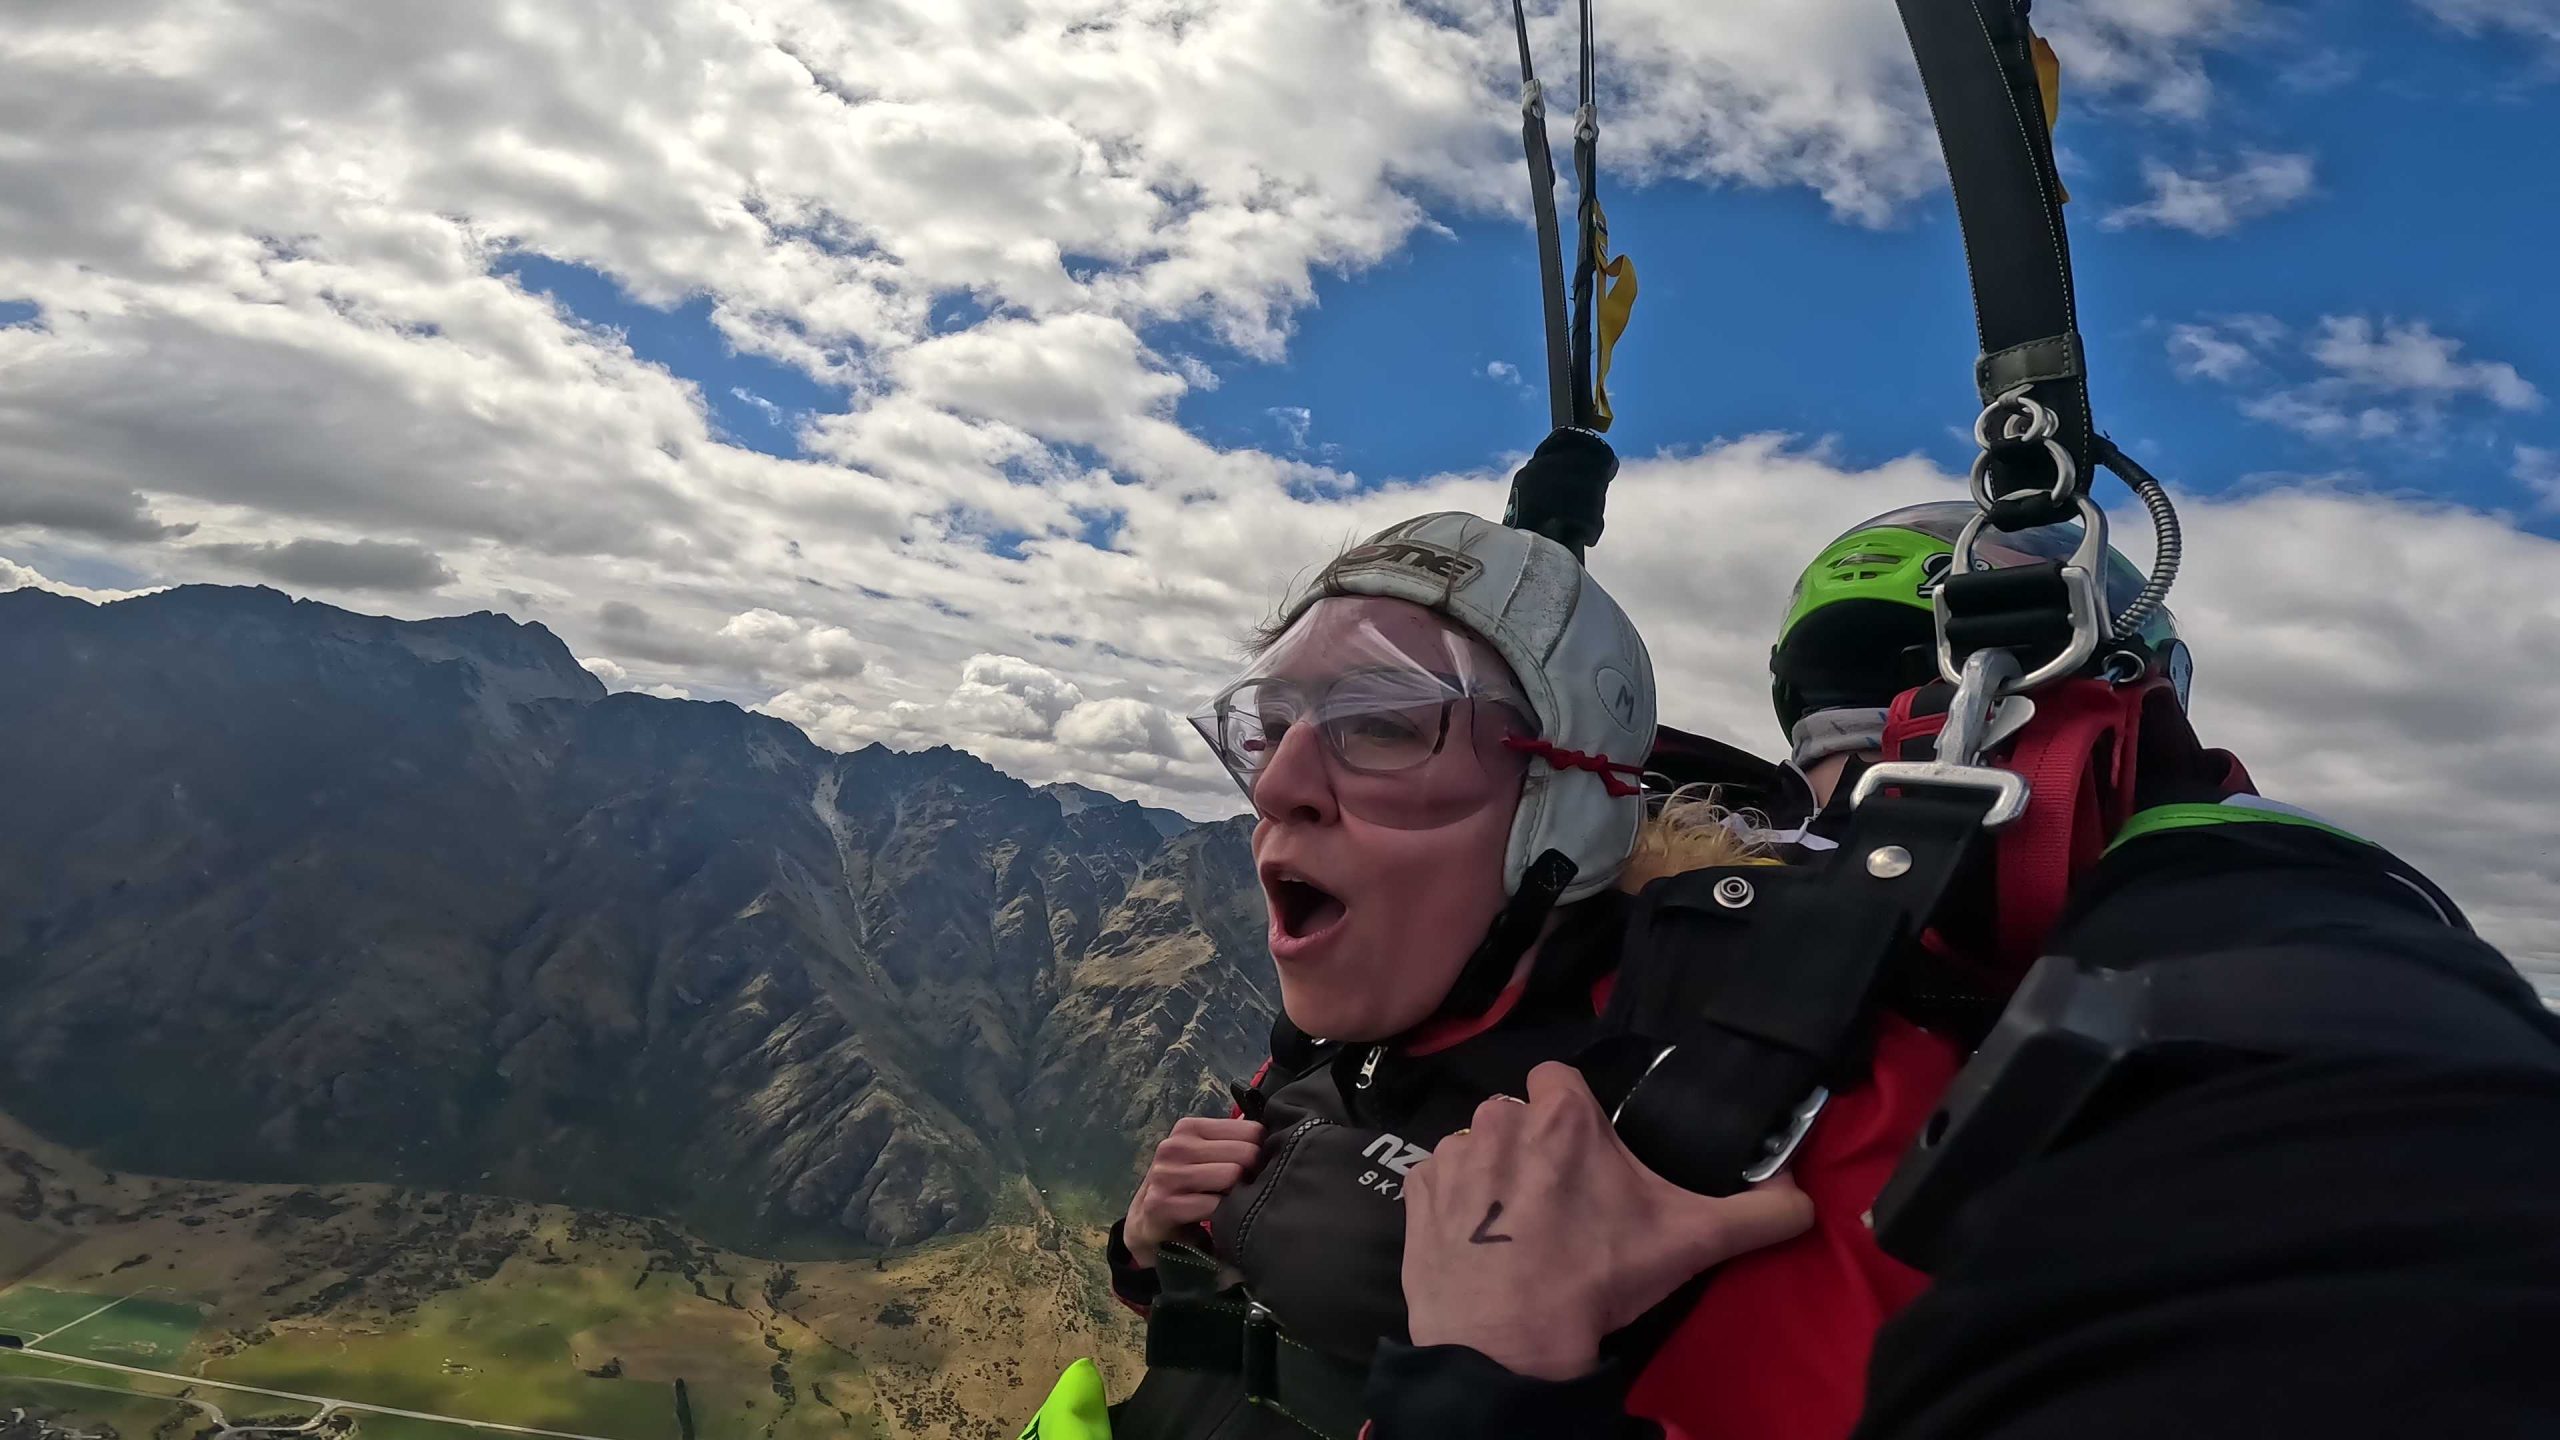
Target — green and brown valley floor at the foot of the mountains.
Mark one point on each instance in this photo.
(183, 1308)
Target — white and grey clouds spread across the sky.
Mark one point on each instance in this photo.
(278, 304)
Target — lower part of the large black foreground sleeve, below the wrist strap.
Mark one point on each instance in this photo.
(2310, 1249)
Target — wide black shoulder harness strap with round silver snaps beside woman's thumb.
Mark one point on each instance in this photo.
(1714, 1054)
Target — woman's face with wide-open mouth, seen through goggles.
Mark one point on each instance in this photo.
(1381, 883)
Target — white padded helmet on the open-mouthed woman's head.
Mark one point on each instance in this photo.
(1571, 647)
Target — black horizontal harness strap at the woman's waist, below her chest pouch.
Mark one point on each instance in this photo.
(1194, 1326)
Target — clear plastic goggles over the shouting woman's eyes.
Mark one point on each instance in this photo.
(1399, 716)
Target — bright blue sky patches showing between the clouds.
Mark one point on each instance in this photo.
(1763, 311)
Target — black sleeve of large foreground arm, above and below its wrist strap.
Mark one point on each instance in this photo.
(2341, 1244)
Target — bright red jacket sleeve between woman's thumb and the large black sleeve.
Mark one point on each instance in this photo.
(1778, 1344)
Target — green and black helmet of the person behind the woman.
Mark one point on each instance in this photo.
(1860, 626)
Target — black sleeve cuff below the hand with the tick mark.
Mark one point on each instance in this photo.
(1450, 1393)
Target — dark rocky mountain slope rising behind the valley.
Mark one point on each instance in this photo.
(303, 896)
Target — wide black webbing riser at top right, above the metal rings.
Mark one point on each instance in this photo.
(1978, 65)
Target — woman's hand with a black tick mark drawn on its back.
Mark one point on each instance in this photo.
(1535, 1234)
